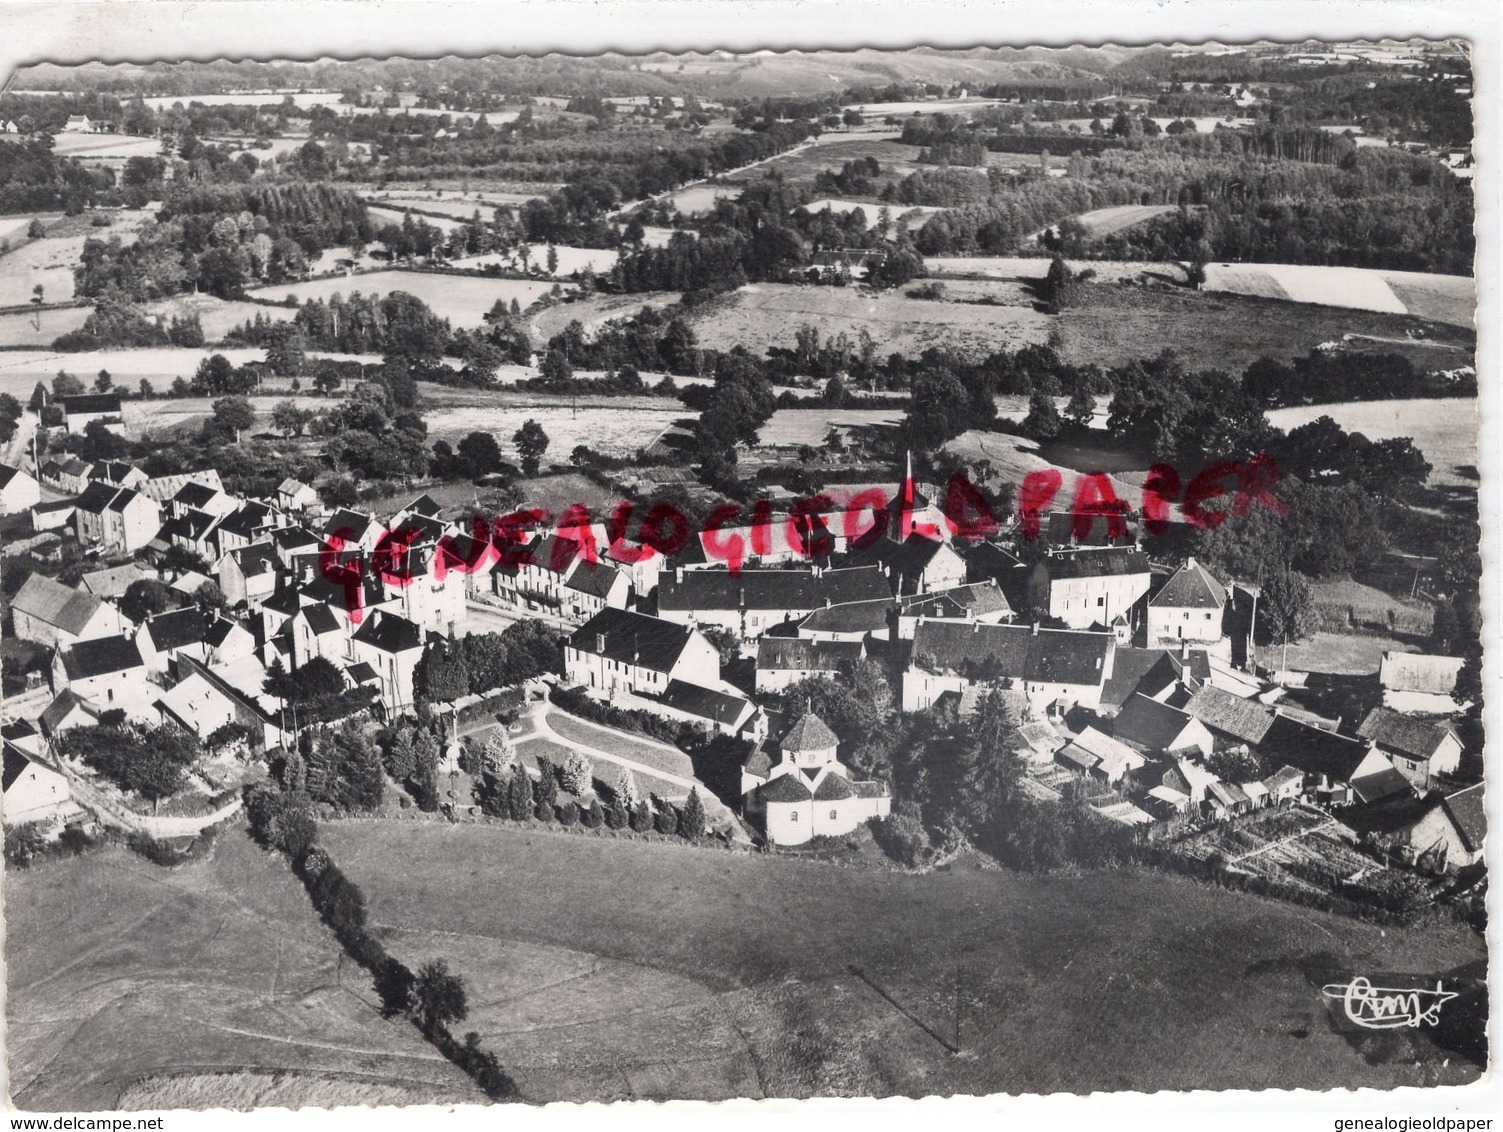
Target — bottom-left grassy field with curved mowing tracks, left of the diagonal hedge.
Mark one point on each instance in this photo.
(204, 985)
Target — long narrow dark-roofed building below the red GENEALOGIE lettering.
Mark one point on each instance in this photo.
(755, 602)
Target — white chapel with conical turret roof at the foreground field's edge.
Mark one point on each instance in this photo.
(808, 791)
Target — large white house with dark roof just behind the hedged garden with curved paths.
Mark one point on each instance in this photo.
(618, 652)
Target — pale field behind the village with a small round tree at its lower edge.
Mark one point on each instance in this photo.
(617, 426)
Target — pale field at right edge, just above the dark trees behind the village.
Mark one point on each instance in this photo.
(1444, 428)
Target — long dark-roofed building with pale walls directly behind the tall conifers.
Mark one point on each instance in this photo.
(1050, 667)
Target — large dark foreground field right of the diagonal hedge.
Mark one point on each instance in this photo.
(704, 975)
